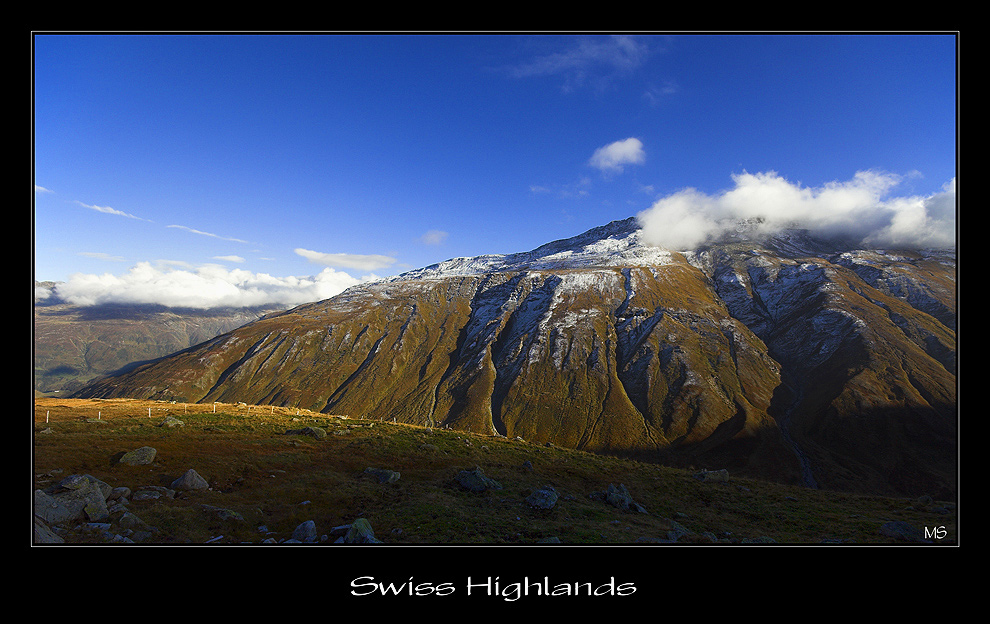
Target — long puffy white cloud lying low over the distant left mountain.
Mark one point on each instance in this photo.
(206, 287)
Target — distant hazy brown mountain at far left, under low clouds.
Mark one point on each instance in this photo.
(75, 344)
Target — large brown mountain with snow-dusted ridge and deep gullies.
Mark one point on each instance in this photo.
(789, 358)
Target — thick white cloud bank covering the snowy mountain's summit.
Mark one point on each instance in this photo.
(860, 208)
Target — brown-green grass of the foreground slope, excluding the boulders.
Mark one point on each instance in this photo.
(281, 480)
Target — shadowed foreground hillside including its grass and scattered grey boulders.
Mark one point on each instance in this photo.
(304, 484)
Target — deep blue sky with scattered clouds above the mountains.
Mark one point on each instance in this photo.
(212, 169)
